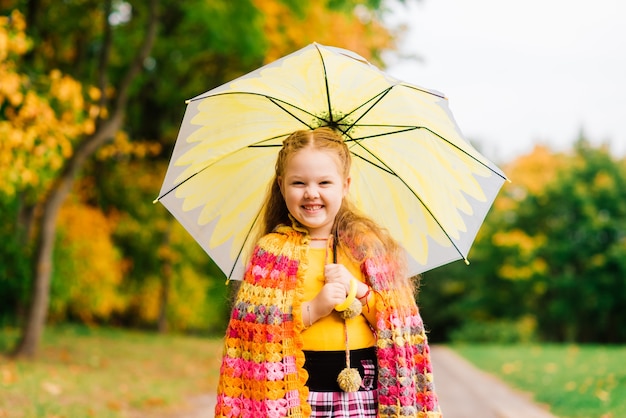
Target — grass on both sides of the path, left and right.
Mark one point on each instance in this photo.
(93, 372)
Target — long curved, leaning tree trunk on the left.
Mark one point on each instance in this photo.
(47, 222)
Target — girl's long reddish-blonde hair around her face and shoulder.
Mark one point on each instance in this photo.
(353, 229)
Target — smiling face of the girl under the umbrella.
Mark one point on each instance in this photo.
(313, 188)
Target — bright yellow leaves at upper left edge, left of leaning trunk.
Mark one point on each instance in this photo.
(38, 129)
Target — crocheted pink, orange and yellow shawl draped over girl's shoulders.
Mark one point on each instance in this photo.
(261, 373)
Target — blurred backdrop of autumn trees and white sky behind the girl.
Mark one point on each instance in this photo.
(92, 94)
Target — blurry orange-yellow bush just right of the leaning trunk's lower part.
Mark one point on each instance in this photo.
(89, 269)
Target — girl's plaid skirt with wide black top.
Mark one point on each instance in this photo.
(327, 400)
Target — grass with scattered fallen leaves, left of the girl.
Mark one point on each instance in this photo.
(84, 372)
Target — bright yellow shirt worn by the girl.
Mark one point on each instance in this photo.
(327, 334)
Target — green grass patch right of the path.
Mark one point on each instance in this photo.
(573, 380)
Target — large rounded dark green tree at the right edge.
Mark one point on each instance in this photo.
(579, 221)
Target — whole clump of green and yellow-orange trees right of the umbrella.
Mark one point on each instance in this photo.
(549, 259)
